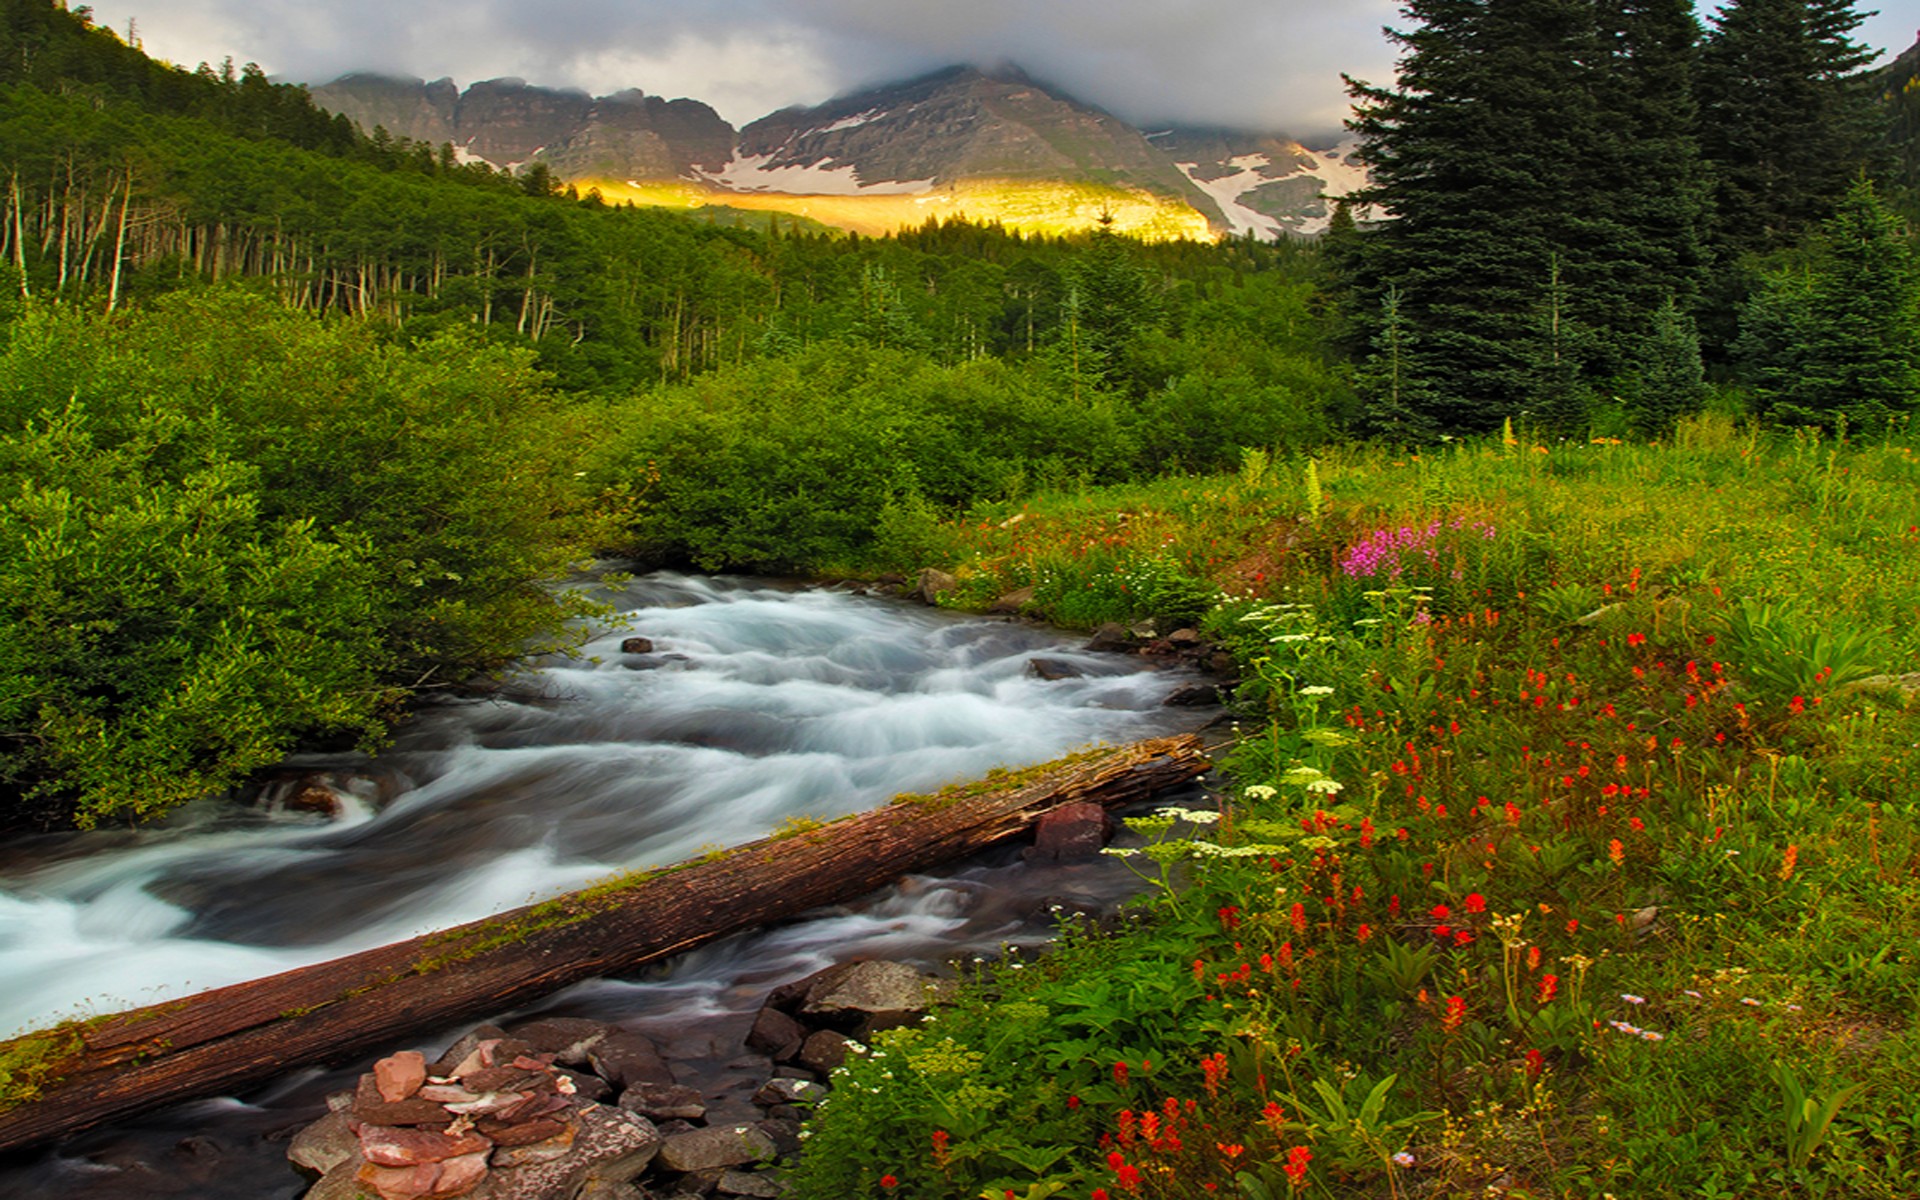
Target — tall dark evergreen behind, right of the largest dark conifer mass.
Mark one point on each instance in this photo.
(1787, 116)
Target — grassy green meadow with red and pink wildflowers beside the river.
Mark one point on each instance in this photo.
(1568, 846)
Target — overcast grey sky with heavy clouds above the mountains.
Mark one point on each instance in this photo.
(1253, 64)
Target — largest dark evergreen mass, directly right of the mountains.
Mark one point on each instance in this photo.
(1545, 197)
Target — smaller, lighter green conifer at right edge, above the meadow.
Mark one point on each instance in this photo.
(1840, 337)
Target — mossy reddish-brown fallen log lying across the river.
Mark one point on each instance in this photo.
(87, 1072)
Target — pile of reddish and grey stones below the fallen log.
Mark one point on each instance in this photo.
(567, 1109)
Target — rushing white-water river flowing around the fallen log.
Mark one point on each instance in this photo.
(757, 706)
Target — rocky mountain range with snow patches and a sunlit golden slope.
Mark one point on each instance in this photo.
(959, 143)
